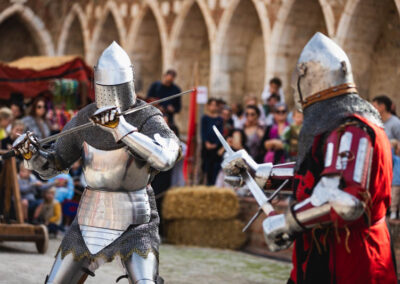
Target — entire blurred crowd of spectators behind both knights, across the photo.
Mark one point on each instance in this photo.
(263, 125)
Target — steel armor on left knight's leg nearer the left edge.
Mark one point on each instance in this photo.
(68, 271)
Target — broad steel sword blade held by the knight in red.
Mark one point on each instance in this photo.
(258, 194)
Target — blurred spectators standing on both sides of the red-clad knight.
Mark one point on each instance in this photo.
(268, 130)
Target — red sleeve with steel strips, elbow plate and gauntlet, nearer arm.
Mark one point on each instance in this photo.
(337, 197)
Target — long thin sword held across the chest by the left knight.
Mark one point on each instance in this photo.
(89, 124)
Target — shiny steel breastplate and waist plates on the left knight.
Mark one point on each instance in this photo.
(116, 196)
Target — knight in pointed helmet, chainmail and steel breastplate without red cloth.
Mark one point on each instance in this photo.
(117, 214)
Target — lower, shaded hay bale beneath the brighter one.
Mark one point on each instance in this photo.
(225, 234)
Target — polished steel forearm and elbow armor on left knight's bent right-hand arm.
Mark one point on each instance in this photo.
(161, 153)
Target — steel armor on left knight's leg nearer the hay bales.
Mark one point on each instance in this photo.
(142, 270)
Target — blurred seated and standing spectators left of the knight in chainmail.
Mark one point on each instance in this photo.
(53, 202)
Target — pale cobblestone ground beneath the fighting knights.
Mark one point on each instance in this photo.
(20, 263)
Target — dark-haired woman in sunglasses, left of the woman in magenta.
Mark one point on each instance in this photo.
(253, 130)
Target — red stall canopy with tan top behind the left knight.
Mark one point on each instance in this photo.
(32, 75)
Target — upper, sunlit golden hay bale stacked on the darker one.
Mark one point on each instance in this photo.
(200, 202)
